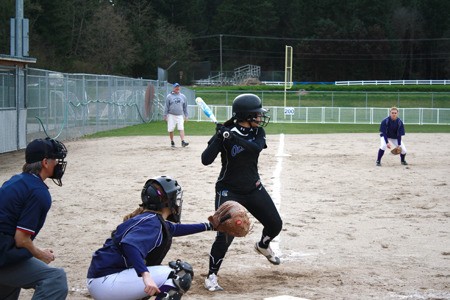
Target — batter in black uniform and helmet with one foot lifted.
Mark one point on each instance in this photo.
(239, 179)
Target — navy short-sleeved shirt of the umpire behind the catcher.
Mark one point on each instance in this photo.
(24, 204)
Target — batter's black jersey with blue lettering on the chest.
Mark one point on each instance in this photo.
(239, 157)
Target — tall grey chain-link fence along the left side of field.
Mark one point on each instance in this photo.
(68, 106)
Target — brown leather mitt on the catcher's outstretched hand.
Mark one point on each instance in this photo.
(231, 218)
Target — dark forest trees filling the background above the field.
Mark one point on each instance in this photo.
(385, 39)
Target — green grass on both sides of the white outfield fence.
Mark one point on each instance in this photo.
(310, 96)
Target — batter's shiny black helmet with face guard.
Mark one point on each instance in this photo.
(247, 107)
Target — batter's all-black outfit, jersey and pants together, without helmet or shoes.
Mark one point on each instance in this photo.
(239, 180)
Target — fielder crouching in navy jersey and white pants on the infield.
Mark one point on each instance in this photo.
(391, 132)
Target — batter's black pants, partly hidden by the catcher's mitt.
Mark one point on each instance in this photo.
(260, 205)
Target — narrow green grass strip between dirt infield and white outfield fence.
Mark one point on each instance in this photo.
(194, 128)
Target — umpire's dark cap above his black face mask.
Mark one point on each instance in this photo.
(39, 149)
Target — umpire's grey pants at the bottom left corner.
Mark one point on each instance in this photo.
(48, 282)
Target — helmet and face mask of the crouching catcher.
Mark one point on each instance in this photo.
(163, 191)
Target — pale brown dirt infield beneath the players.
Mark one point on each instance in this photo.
(351, 230)
